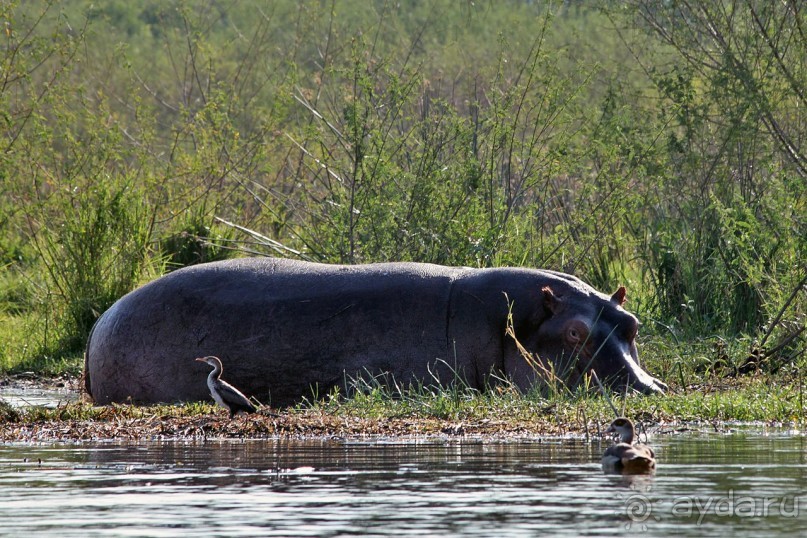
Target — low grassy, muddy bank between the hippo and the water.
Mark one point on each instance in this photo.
(498, 416)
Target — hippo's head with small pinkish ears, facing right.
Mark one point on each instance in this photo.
(582, 330)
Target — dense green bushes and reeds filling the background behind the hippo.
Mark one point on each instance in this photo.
(657, 145)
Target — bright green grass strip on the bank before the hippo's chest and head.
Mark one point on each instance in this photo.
(767, 398)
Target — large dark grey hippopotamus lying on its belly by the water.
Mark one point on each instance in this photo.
(287, 330)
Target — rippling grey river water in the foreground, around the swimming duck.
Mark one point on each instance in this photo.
(748, 484)
